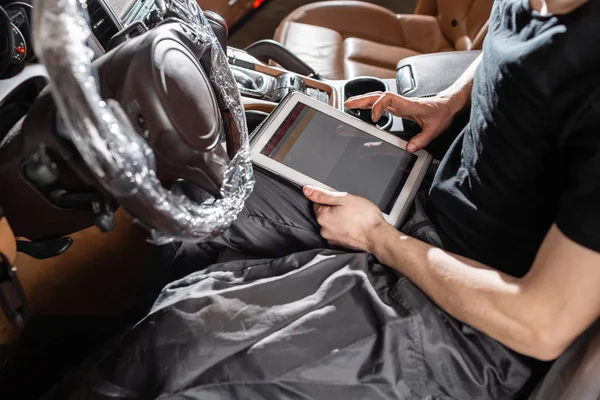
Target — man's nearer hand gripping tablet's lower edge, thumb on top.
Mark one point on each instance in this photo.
(345, 220)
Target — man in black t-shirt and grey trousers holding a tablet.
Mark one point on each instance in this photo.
(515, 205)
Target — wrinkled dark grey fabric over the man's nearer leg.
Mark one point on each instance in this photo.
(315, 325)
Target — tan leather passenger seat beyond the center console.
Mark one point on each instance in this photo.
(346, 39)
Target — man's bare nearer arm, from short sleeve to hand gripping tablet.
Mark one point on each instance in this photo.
(538, 315)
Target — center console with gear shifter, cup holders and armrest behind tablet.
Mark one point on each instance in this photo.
(264, 85)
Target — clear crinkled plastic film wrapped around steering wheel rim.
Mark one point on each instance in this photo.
(121, 160)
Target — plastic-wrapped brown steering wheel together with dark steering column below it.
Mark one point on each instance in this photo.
(162, 107)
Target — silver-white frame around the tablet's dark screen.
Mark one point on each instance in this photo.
(274, 121)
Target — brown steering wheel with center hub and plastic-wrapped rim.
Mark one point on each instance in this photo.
(121, 156)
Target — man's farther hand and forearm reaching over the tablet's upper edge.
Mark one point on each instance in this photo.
(433, 114)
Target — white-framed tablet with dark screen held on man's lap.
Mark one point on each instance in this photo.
(307, 142)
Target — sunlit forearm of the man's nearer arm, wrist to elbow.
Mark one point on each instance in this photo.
(482, 297)
